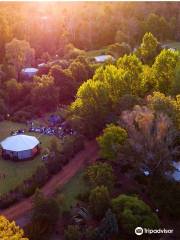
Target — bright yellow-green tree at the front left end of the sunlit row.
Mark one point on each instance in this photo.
(91, 107)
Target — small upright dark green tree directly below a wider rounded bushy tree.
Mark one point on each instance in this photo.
(99, 201)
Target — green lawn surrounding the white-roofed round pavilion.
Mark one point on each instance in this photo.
(16, 173)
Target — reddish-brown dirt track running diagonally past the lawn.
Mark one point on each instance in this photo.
(87, 155)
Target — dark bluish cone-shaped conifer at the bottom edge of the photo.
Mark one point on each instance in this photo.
(108, 226)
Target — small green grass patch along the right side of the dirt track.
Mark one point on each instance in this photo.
(71, 190)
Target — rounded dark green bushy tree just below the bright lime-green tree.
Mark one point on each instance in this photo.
(100, 174)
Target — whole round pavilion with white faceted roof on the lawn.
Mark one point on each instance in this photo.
(20, 147)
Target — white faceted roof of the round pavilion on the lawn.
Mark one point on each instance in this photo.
(19, 143)
